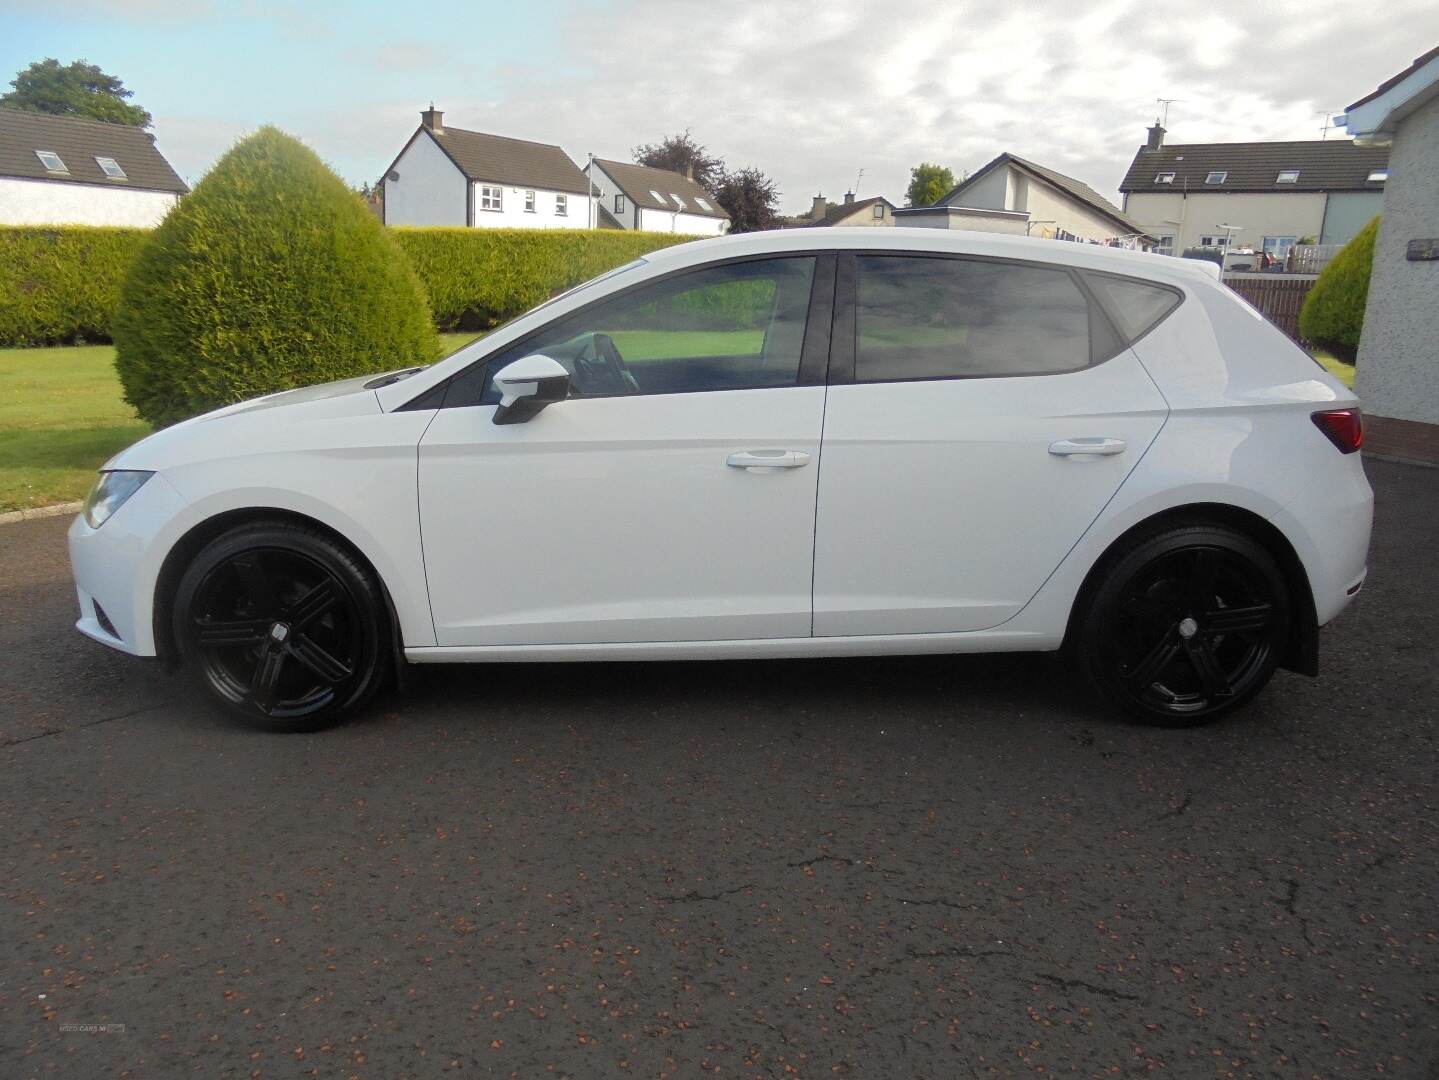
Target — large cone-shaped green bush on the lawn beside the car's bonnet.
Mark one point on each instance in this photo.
(270, 275)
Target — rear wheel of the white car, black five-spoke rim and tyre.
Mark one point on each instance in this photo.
(1185, 625)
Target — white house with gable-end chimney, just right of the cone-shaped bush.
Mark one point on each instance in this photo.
(450, 176)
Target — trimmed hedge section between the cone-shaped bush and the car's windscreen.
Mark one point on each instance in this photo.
(477, 278)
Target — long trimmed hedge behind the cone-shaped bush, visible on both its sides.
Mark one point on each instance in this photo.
(60, 285)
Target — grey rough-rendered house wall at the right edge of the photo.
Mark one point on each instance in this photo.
(1399, 350)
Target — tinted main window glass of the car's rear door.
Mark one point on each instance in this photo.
(955, 319)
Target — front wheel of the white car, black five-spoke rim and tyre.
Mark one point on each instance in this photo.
(283, 626)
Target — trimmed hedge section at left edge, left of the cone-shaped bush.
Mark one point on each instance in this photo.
(60, 285)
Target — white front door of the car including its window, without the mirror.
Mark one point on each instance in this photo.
(671, 498)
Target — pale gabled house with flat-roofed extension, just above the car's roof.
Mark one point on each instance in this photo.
(1012, 195)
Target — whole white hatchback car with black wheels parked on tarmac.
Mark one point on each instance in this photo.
(778, 445)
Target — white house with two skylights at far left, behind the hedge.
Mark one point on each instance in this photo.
(63, 170)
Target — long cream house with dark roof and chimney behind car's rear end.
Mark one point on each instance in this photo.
(1254, 195)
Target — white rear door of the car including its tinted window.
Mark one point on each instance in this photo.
(981, 416)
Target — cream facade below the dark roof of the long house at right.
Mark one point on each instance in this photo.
(1261, 214)
